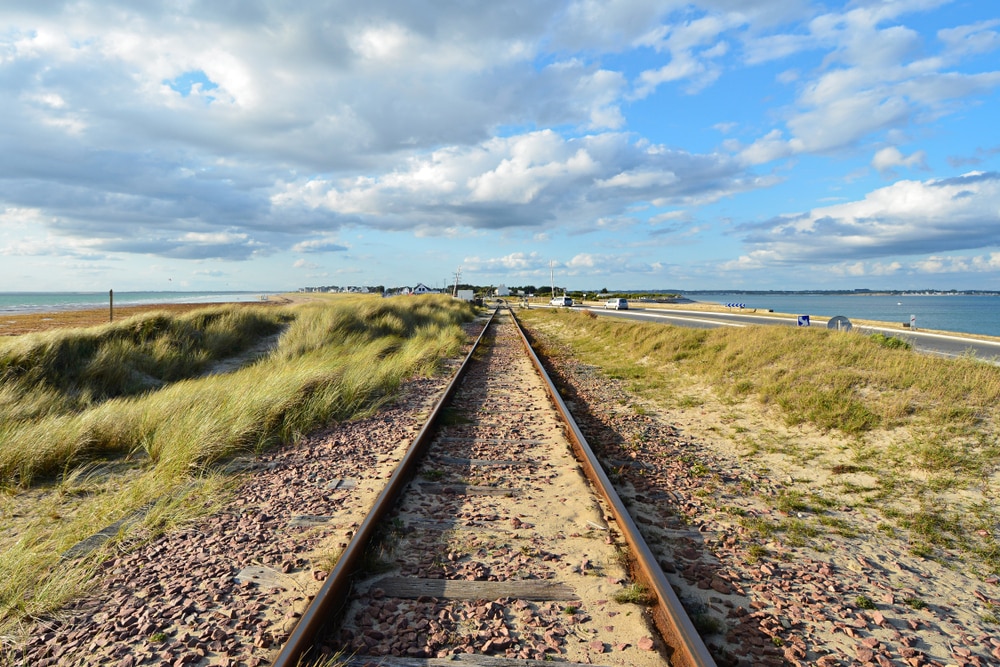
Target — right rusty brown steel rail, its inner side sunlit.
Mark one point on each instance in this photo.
(668, 614)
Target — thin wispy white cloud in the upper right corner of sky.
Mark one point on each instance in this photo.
(876, 77)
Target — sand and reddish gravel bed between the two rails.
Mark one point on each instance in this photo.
(541, 521)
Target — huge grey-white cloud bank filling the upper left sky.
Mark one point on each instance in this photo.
(126, 119)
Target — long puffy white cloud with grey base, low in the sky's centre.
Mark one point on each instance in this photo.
(534, 179)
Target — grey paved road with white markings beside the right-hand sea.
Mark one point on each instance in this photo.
(948, 345)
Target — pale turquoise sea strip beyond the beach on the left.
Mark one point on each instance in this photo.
(34, 302)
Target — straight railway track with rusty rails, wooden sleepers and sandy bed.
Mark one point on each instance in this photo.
(497, 541)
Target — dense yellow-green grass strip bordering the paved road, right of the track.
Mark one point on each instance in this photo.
(849, 383)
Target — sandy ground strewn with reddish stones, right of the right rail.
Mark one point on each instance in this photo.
(826, 585)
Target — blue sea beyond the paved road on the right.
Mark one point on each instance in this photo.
(960, 313)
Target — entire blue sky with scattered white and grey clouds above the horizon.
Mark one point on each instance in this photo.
(620, 144)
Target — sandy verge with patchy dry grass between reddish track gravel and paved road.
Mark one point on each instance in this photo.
(917, 434)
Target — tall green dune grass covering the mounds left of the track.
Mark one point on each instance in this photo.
(97, 423)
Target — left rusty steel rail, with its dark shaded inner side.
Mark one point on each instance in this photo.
(332, 596)
